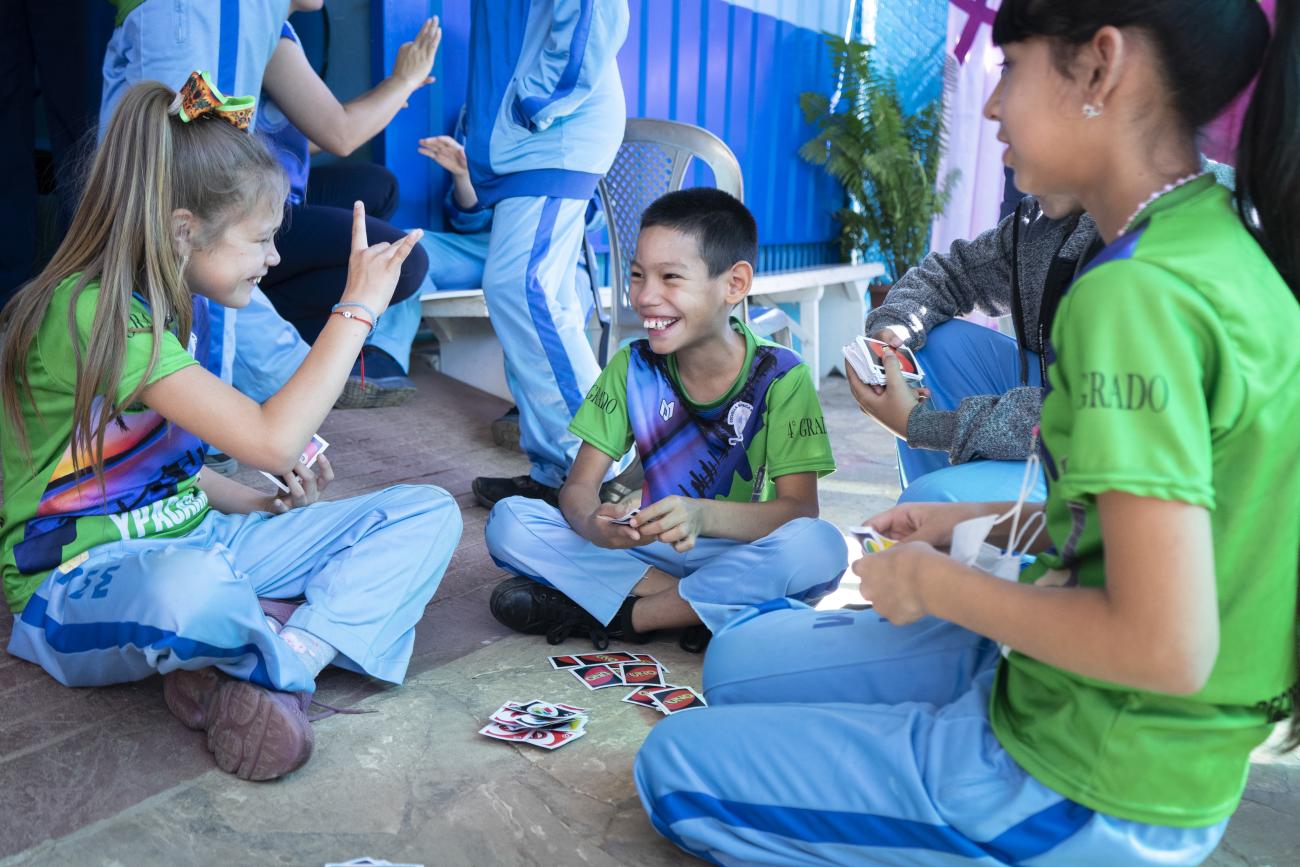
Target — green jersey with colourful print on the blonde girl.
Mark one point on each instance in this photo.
(55, 510)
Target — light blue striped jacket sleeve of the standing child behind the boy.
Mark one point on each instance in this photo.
(582, 46)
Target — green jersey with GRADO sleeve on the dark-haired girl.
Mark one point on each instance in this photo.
(1173, 375)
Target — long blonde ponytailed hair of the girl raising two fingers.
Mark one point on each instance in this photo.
(122, 240)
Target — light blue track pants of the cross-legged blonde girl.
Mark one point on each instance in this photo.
(367, 567)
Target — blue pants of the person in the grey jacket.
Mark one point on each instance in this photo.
(961, 361)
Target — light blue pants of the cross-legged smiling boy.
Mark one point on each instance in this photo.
(804, 561)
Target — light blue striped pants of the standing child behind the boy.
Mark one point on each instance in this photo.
(541, 323)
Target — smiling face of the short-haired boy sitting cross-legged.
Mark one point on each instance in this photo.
(682, 307)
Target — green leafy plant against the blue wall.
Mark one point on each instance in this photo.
(886, 159)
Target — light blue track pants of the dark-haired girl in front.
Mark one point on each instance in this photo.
(838, 739)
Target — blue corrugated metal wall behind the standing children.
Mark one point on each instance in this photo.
(712, 63)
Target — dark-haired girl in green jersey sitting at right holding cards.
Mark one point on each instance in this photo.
(1103, 708)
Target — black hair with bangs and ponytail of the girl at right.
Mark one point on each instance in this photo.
(1211, 50)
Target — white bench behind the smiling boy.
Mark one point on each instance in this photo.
(831, 313)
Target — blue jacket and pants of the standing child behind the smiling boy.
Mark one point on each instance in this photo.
(545, 118)
